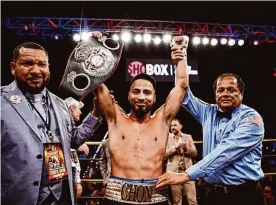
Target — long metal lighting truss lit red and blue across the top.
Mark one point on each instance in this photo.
(50, 26)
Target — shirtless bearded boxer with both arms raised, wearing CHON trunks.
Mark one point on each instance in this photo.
(137, 141)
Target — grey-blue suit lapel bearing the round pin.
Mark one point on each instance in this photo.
(22, 108)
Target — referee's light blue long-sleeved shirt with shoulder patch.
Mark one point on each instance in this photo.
(232, 147)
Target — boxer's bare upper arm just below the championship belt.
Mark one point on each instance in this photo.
(106, 103)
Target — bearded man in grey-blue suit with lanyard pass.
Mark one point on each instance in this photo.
(32, 120)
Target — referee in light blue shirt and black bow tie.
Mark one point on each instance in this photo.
(232, 145)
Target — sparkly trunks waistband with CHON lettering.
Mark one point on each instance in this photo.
(134, 191)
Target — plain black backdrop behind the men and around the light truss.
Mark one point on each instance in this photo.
(254, 64)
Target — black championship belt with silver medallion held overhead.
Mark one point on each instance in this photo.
(91, 63)
